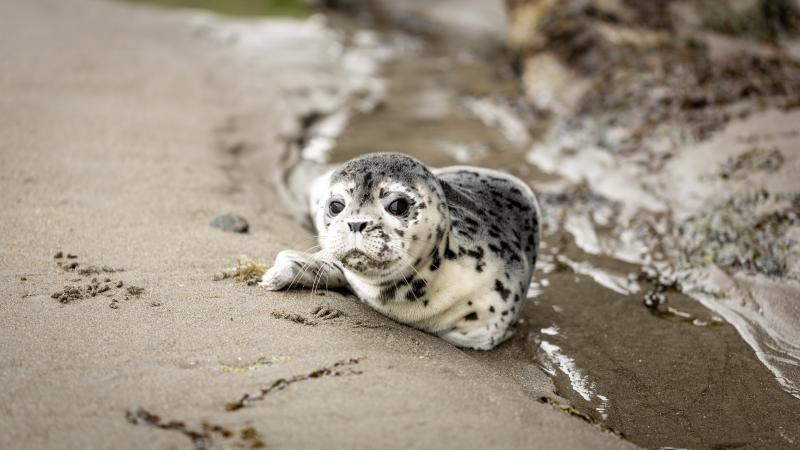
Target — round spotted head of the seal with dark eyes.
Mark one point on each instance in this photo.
(383, 214)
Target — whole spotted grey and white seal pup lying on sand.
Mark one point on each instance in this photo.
(449, 251)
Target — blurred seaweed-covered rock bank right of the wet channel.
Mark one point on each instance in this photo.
(680, 118)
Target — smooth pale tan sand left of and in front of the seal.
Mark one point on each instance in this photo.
(123, 132)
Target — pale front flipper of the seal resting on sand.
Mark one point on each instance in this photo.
(293, 269)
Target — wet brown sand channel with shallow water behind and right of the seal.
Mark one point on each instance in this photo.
(680, 377)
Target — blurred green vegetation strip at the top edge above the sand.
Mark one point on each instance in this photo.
(292, 8)
